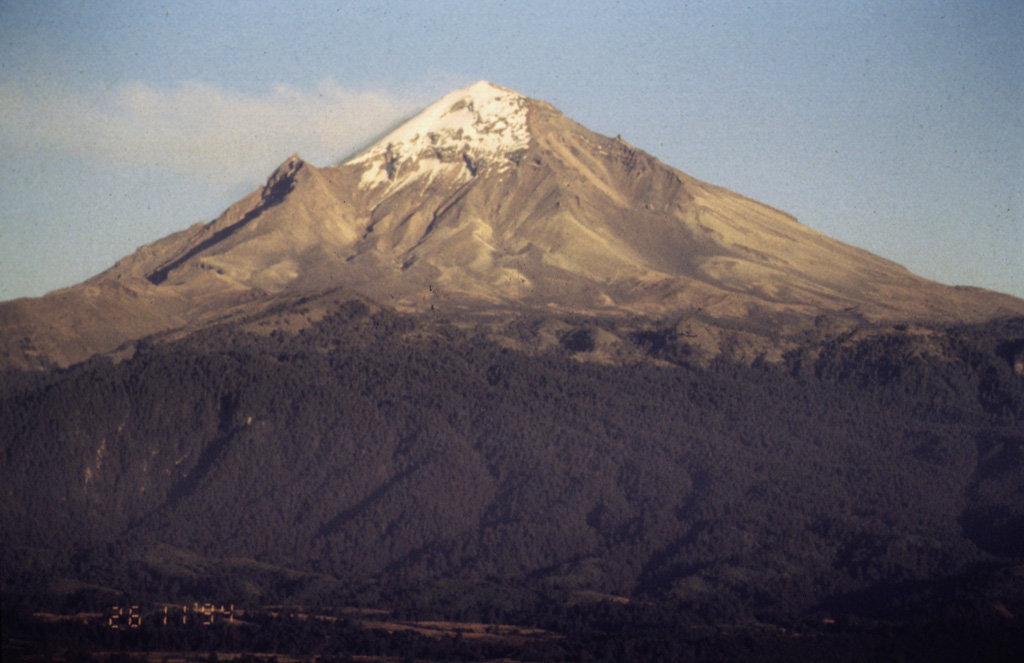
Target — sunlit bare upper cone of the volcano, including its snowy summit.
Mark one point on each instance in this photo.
(488, 202)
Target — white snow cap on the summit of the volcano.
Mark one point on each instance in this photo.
(478, 127)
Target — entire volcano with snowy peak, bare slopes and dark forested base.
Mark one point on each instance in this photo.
(500, 371)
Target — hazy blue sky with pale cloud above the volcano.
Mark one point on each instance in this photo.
(898, 128)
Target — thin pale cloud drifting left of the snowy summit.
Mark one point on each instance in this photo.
(220, 136)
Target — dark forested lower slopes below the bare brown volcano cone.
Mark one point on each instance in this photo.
(379, 461)
